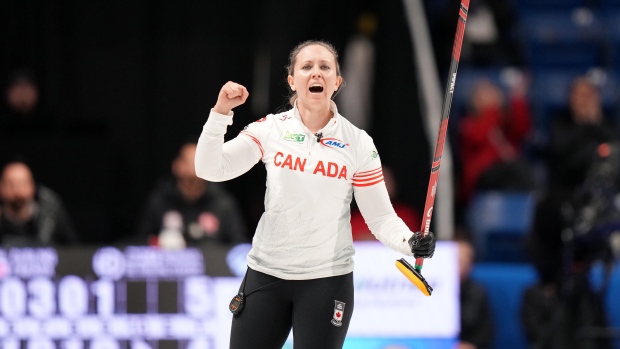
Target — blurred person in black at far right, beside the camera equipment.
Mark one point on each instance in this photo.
(574, 140)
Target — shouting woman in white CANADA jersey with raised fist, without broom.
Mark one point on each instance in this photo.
(301, 263)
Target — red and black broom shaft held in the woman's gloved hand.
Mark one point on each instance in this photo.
(443, 126)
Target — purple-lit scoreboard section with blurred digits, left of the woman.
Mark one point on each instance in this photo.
(137, 297)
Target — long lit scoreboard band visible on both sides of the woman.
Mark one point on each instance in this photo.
(140, 297)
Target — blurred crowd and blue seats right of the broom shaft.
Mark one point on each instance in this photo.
(537, 119)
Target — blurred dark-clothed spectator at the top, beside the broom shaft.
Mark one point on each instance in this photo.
(489, 38)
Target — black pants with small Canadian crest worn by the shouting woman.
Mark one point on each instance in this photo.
(318, 310)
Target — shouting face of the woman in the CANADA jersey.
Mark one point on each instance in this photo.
(315, 77)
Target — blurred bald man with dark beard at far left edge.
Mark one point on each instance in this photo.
(31, 214)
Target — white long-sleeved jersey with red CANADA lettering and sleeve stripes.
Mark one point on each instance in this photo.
(305, 231)
